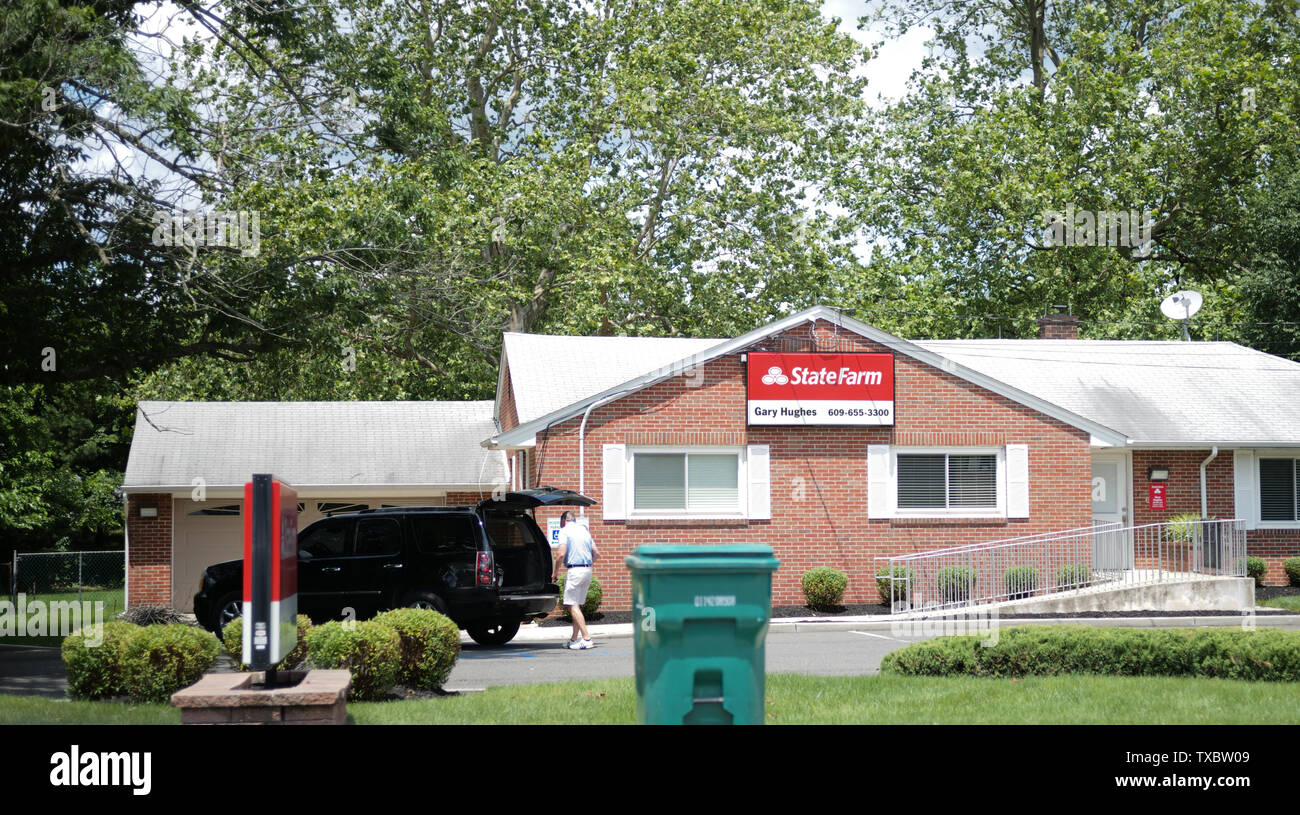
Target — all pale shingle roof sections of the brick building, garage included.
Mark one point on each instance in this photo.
(1194, 393)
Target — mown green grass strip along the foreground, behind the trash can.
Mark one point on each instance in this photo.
(804, 700)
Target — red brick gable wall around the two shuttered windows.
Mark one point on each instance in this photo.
(818, 475)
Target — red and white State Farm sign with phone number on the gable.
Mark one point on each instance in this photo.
(821, 389)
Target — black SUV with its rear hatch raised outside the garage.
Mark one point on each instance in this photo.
(487, 567)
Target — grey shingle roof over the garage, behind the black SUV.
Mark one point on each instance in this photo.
(314, 444)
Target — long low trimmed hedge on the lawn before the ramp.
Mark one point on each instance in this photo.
(1052, 651)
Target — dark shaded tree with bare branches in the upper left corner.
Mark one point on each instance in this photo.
(98, 146)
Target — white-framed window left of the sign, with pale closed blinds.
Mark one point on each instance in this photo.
(682, 483)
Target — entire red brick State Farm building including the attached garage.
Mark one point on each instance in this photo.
(821, 436)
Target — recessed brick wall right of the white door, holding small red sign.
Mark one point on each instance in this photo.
(1185, 496)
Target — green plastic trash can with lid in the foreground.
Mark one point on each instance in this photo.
(701, 617)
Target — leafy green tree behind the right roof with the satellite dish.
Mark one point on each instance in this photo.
(1173, 110)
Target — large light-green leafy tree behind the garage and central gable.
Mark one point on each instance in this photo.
(462, 170)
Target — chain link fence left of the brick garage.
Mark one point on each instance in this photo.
(99, 576)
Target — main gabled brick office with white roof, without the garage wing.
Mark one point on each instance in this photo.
(985, 440)
